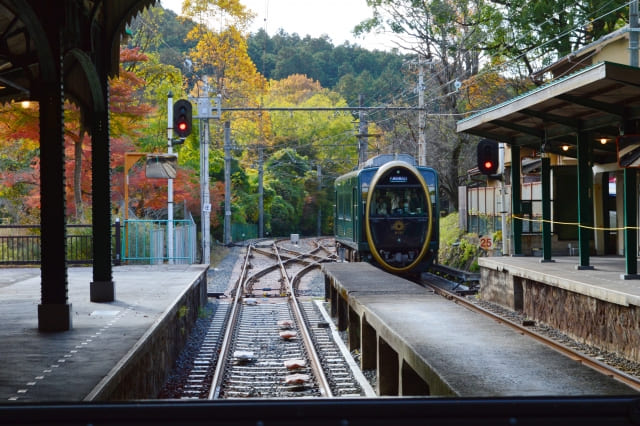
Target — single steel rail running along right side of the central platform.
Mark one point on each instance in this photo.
(600, 367)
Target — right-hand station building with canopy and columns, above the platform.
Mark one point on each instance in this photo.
(565, 136)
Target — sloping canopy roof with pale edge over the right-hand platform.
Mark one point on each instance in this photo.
(597, 100)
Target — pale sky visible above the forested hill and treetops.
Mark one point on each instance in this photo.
(336, 18)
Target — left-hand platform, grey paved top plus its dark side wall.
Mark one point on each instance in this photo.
(119, 350)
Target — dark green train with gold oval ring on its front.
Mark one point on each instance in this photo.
(387, 214)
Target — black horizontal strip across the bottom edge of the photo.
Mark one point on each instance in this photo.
(450, 412)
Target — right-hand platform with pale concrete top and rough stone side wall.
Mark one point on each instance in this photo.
(597, 306)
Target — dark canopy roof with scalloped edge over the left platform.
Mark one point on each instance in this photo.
(23, 41)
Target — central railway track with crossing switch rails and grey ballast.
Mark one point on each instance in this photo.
(276, 341)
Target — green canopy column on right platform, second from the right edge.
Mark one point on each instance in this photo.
(585, 200)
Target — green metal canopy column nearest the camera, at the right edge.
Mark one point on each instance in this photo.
(630, 224)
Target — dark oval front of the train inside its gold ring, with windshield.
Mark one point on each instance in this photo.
(399, 217)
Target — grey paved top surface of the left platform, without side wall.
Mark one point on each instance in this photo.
(71, 365)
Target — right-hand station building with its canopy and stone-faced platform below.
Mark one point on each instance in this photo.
(569, 197)
